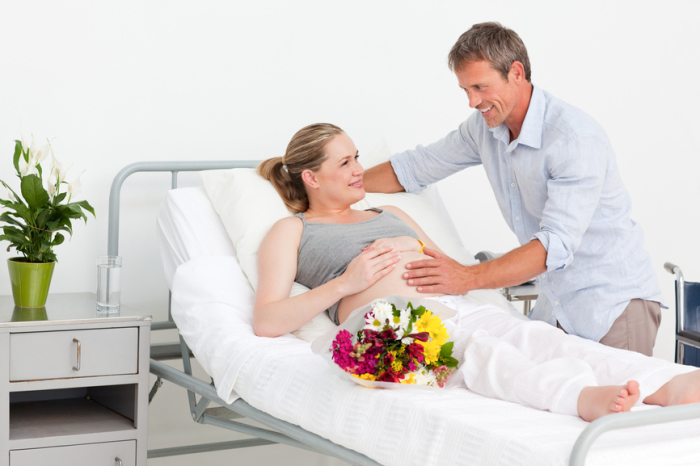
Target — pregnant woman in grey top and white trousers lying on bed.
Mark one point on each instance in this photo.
(350, 257)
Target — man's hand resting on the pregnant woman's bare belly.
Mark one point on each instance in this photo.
(439, 275)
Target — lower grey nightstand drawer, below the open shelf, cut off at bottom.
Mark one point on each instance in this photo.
(94, 454)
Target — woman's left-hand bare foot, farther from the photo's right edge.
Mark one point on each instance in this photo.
(595, 402)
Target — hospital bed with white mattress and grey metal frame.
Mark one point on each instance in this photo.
(275, 381)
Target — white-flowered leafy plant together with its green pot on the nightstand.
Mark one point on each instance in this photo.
(34, 220)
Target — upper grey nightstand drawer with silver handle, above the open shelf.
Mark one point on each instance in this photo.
(55, 355)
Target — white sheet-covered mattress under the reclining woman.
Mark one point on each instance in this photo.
(212, 306)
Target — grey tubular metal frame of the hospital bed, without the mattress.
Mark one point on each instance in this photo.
(283, 432)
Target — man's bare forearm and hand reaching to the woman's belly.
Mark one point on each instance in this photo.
(445, 275)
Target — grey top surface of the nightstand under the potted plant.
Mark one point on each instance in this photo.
(63, 308)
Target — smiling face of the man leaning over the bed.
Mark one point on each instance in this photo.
(488, 92)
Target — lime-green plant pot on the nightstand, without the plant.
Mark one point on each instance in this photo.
(30, 281)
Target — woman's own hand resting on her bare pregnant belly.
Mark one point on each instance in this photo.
(372, 264)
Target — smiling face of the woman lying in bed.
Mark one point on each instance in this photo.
(339, 180)
